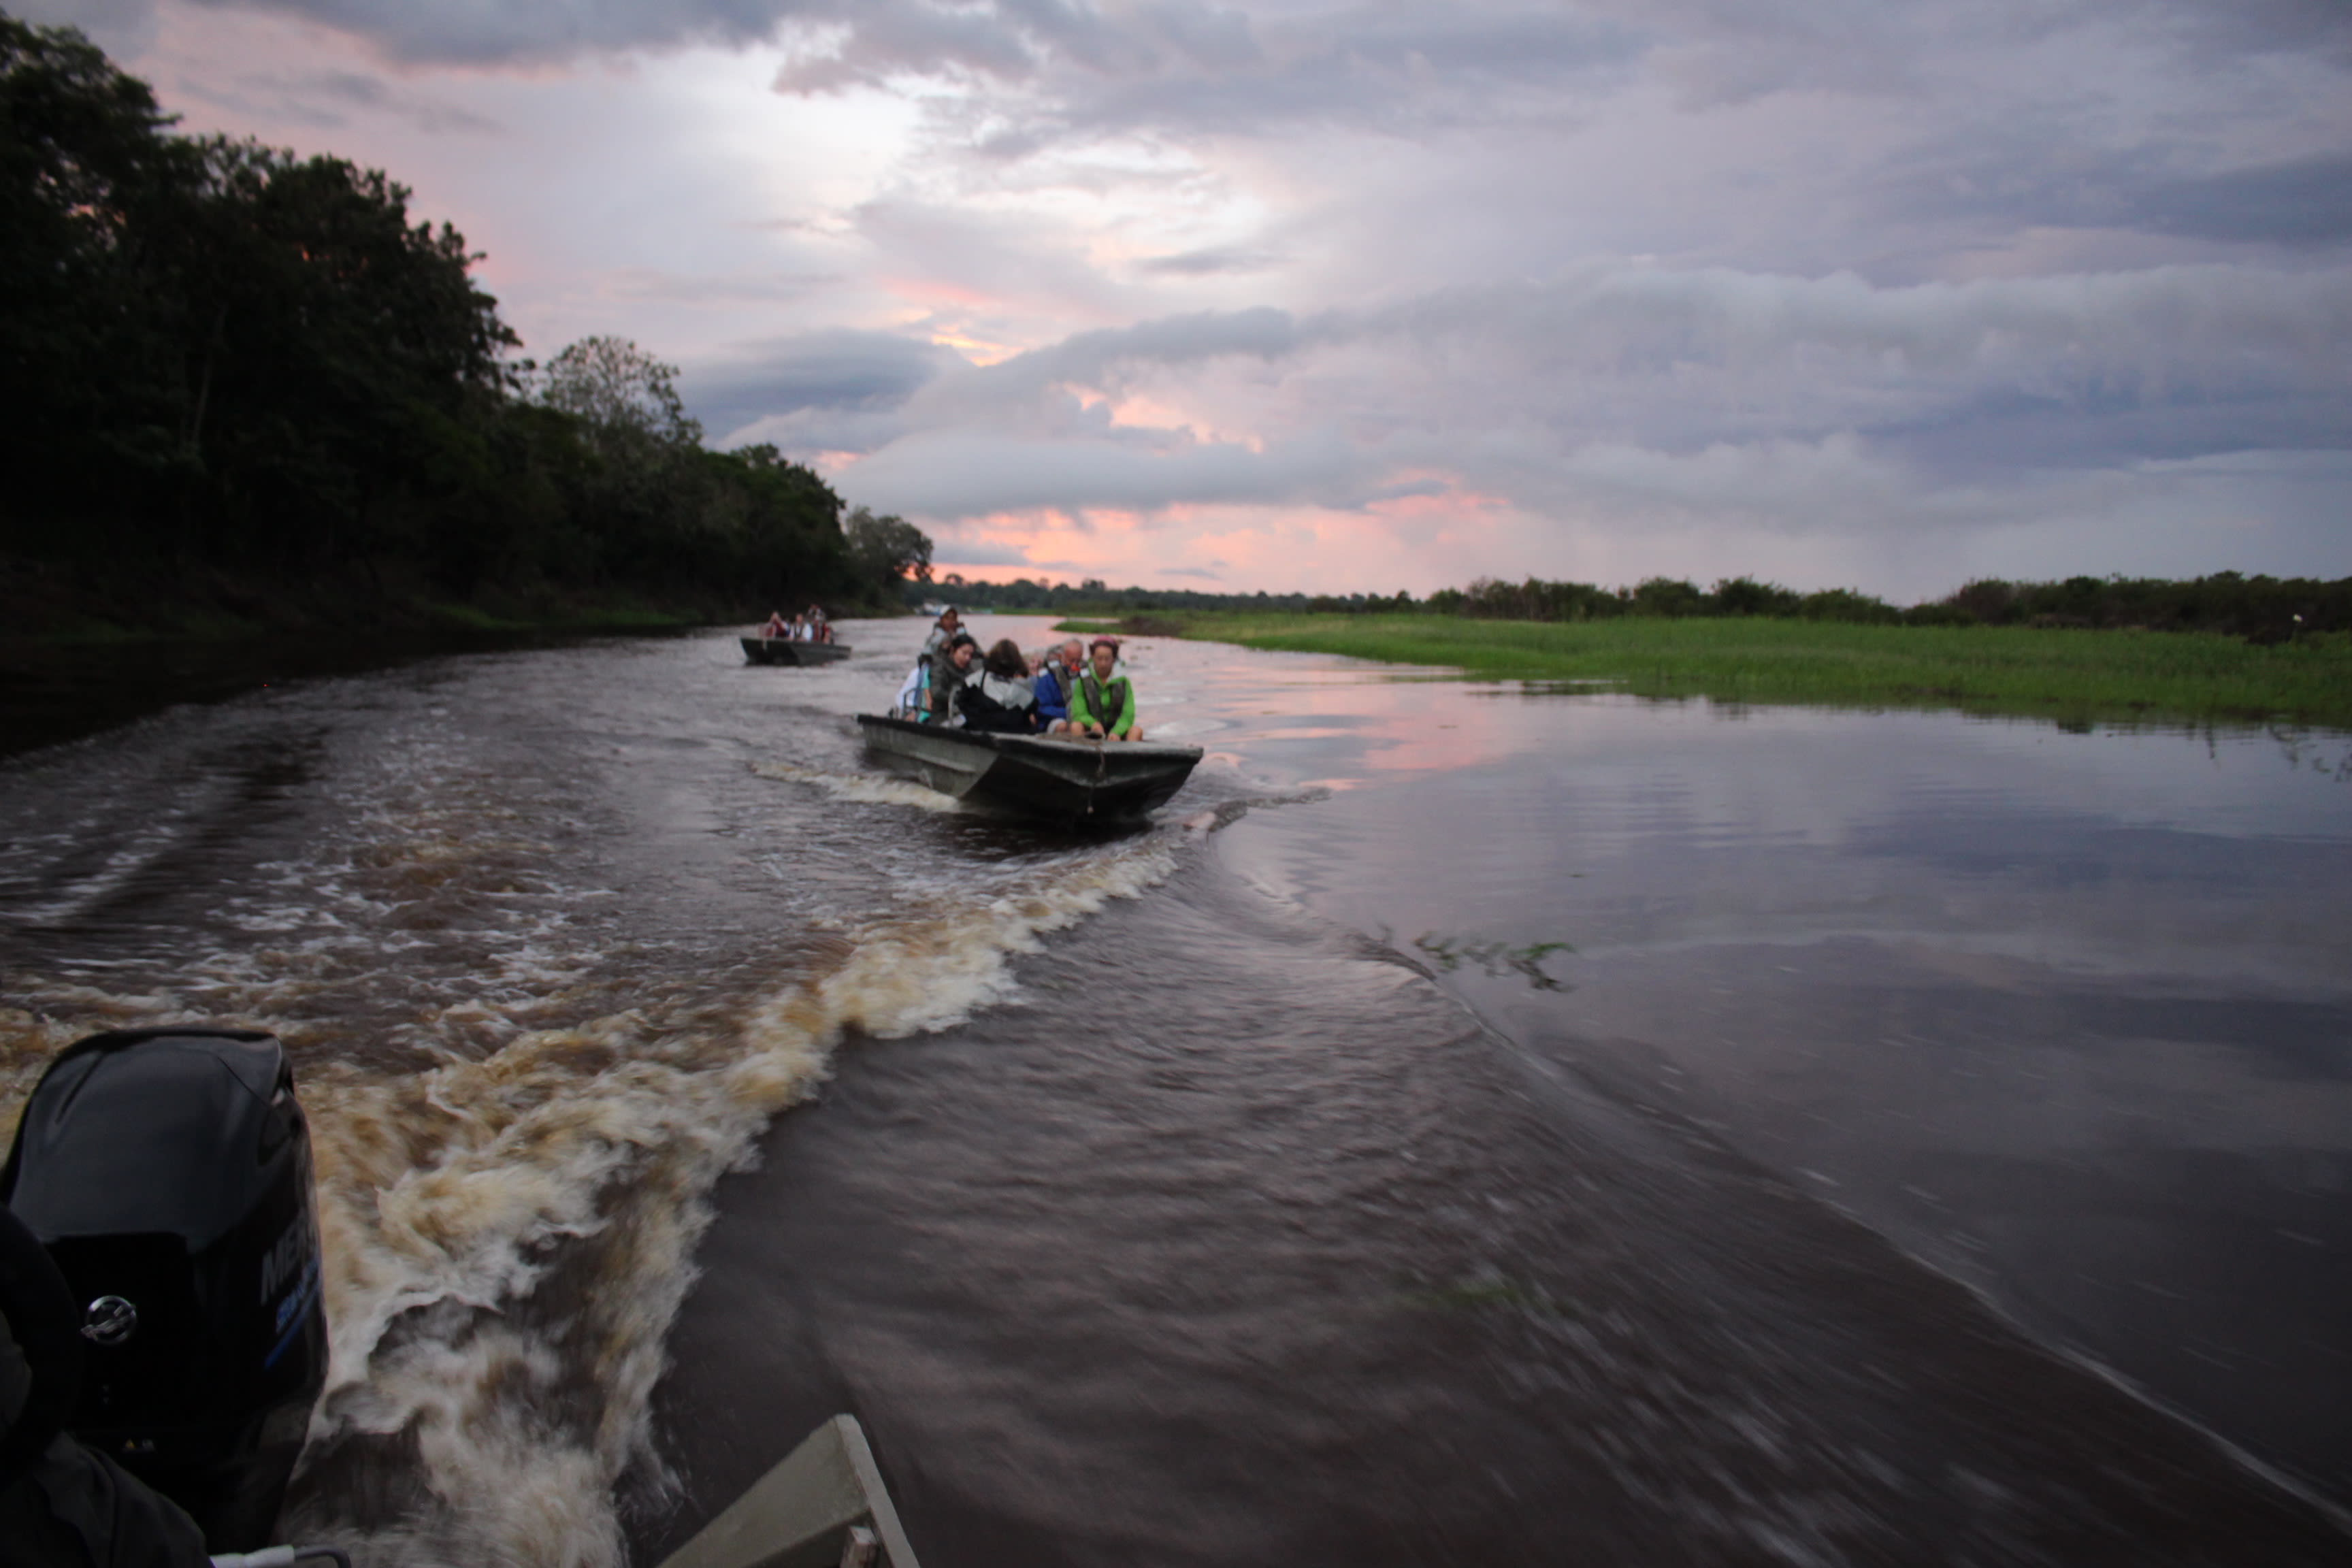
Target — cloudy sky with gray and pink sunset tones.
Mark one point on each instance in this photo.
(1396, 295)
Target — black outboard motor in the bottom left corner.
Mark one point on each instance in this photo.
(168, 1174)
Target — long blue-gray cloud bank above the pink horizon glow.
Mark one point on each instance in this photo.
(1768, 396)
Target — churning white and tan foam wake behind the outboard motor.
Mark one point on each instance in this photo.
(512, 1238)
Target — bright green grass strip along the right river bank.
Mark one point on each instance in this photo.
(2076, 678)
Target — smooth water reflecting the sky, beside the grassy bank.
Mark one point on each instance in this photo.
(2069, 1017)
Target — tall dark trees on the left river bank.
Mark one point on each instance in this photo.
(222, 356)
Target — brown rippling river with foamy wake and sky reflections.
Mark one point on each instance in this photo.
(1474, 1125)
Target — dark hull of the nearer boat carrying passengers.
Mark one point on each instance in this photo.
(1045, 777)
